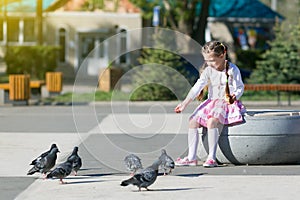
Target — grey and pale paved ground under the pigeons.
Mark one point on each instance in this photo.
(105, 133)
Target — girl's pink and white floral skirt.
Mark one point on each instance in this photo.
(228, 114)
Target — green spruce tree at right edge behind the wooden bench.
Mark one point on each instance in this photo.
(280, 64)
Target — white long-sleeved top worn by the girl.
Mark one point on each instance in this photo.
(216, 81)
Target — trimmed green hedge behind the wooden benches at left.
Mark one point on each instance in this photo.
(33, 60)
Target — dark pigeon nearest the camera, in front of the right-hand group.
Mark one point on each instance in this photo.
(145, 177)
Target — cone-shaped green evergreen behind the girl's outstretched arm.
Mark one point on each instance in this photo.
(161, 75)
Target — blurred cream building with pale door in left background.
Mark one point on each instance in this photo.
(75, 30)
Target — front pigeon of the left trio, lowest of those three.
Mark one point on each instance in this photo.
(62, 170)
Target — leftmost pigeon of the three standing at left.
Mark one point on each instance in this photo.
(45, 164)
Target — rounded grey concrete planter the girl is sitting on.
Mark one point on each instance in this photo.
(267, 137)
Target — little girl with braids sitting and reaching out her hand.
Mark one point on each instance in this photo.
(225, 87)
